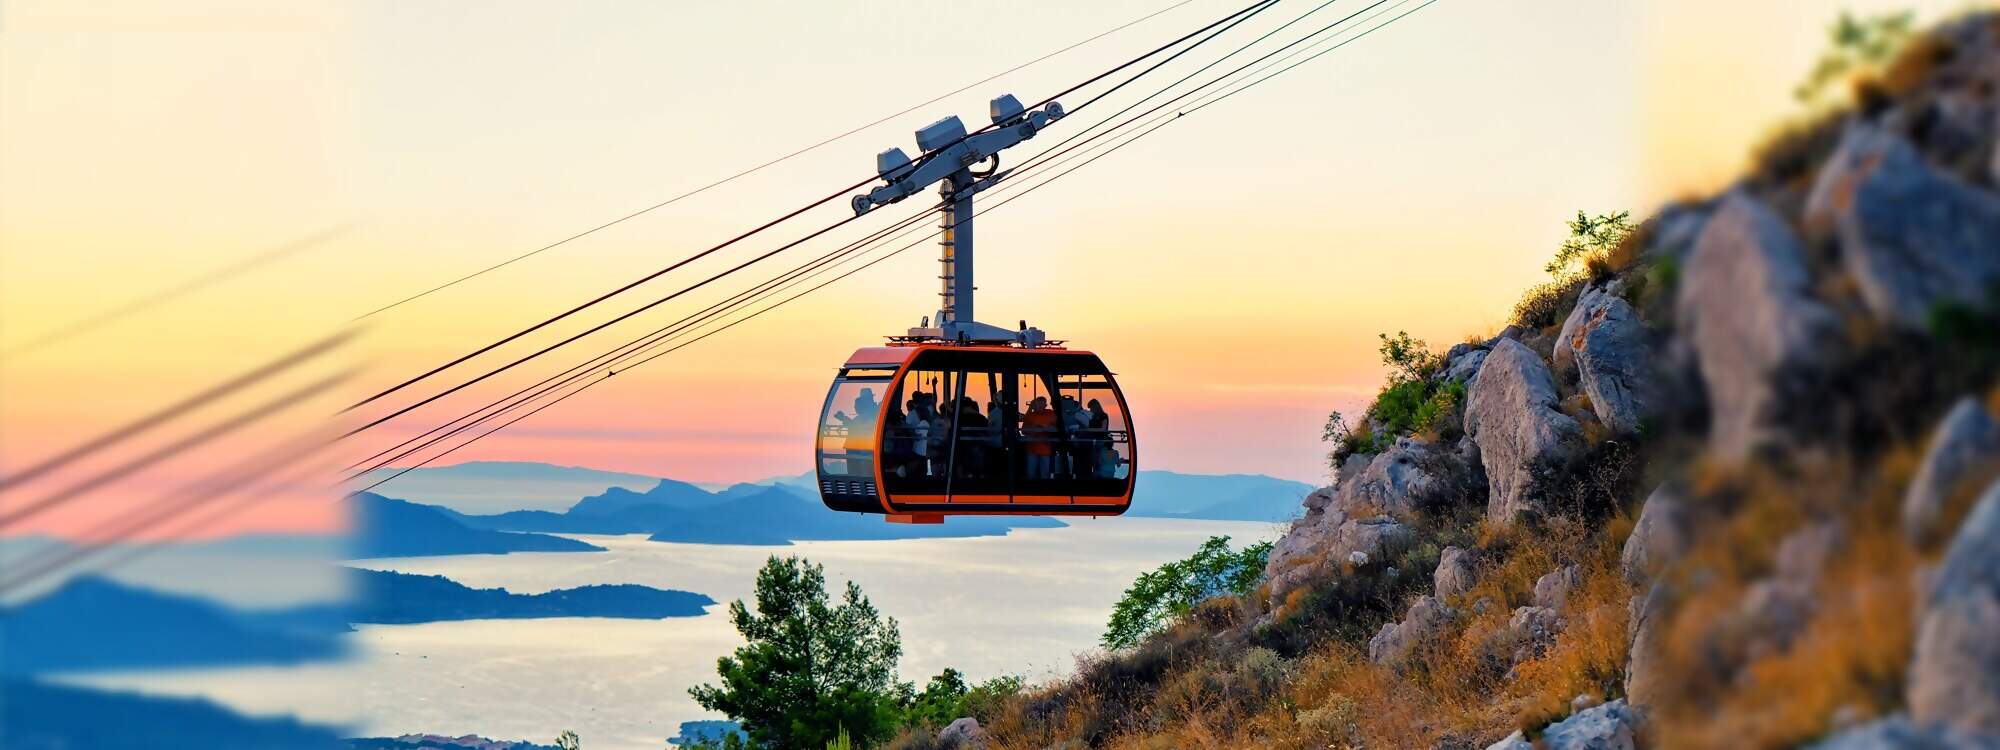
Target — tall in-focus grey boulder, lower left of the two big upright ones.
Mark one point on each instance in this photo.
(1511, 415)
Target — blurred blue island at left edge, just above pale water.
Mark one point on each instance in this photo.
(101, 625)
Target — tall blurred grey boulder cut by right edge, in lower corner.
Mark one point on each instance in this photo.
(1955, 677)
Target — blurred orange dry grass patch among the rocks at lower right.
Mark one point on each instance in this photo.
(1855, 645)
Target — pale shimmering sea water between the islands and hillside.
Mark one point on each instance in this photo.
(1027, 603)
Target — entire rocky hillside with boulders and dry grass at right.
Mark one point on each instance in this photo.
(1735, 485)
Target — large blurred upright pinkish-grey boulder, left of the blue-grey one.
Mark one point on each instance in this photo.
(1747, 309)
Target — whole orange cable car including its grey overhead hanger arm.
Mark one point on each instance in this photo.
(967, 419)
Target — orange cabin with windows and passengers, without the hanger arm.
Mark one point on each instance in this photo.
(931, 431)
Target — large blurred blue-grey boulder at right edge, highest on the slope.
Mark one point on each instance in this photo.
(1911, 237)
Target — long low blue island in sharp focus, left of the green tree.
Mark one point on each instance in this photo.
(405, 599)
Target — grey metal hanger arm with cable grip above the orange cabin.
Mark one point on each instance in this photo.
(949, 159)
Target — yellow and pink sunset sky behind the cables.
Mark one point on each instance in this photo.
(1233, 269)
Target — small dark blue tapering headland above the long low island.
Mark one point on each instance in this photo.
(399, 529)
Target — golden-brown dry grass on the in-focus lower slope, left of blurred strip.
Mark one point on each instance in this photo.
(1225, 693)
